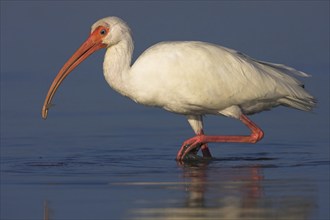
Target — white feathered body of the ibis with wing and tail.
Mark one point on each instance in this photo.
(198, 77)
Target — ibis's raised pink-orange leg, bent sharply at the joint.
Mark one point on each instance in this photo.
(201, 139)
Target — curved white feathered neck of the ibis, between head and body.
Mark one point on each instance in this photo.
(117, 64)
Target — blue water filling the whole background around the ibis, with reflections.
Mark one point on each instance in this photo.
(101, 156)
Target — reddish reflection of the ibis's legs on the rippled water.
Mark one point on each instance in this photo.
(246, 181)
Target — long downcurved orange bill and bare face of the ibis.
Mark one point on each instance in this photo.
(92, 44)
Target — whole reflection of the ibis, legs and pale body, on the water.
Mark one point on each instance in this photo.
(233, 193)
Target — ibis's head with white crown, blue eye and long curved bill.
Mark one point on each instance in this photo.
(104, 33)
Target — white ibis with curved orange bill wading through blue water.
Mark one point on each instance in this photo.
(191, 78)
